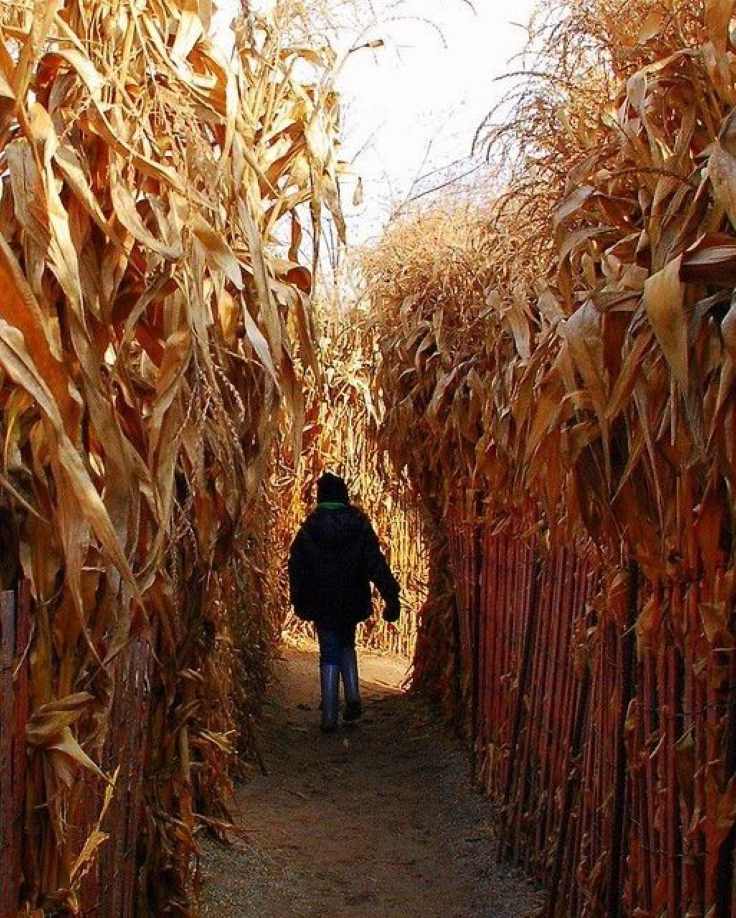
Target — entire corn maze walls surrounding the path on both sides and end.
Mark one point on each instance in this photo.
(536, 406)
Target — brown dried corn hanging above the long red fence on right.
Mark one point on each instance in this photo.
(570, 344)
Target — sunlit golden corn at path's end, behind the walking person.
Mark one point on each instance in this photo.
(339, 436)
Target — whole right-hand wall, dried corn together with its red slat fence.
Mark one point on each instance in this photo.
(558, 373)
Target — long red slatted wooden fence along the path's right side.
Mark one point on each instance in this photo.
(602, 710)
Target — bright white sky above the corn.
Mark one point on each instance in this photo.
(432, 83)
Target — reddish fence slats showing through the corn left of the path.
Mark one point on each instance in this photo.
(108, 888)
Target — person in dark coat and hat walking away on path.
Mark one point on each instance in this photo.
(333, 561)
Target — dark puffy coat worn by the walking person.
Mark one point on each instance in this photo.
(333, 561)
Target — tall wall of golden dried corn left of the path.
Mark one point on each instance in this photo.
(148, 322)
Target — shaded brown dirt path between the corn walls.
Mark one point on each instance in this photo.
(378, 820)
